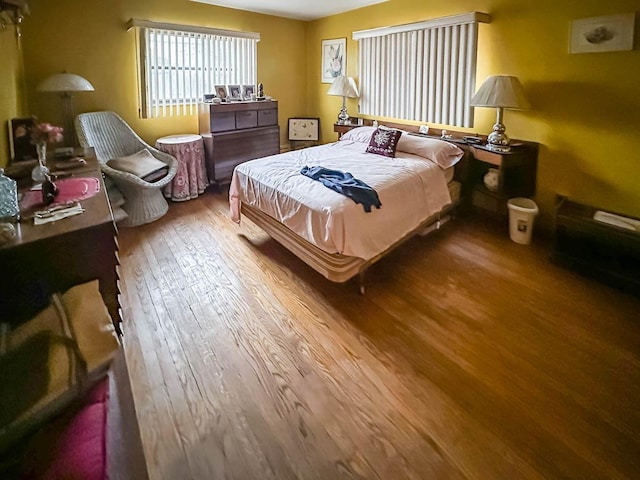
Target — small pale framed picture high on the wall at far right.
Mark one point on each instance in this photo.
(609, 33)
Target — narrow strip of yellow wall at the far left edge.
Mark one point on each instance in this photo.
(11, 91)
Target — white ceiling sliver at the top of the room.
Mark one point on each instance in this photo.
(298, 9)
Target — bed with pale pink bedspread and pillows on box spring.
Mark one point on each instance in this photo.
(418, 187)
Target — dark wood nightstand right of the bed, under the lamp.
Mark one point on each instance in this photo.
(517, 173)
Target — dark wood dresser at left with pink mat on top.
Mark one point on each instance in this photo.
(53, 257)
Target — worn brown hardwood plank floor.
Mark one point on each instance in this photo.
(469, 357)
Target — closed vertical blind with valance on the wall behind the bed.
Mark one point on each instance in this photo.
(422, 71)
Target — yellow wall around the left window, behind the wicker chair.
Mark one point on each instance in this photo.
(89, 38)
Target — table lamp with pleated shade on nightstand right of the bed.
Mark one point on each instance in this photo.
(500, 92)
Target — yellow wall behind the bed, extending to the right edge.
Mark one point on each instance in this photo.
(586, 107)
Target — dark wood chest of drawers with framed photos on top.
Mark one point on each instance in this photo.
(235, 132)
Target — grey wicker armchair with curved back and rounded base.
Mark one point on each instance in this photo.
(111, 137)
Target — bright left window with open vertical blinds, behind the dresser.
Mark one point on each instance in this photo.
(179, 64)
